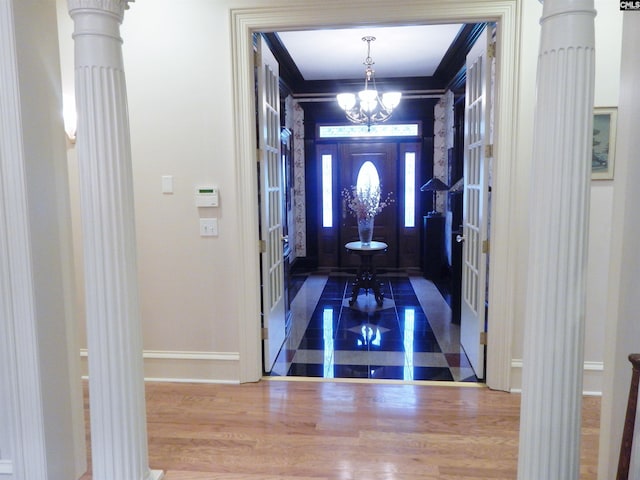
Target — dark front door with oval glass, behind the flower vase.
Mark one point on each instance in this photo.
(384, 158)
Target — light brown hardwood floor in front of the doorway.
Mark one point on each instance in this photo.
(279, 429)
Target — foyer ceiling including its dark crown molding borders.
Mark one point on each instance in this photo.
(421, 57)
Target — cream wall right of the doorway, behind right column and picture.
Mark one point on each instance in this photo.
(608, 30)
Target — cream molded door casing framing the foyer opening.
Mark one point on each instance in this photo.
(246, 21)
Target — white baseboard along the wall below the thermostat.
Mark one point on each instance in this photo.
(192, 367)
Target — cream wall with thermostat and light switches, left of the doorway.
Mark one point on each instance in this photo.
(177, 65)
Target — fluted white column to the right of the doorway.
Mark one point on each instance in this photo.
(553, 354)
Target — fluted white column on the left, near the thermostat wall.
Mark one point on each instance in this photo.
(116, 385)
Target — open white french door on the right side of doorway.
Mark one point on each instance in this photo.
(475, 210)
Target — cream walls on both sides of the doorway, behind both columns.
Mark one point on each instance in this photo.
(178, 67)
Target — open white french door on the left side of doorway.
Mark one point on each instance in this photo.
(270, 189)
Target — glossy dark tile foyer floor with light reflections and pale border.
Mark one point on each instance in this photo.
(409, 337)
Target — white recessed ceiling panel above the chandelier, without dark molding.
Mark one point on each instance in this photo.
(398, 52)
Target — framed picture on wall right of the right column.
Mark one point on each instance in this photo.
(604, 143)
